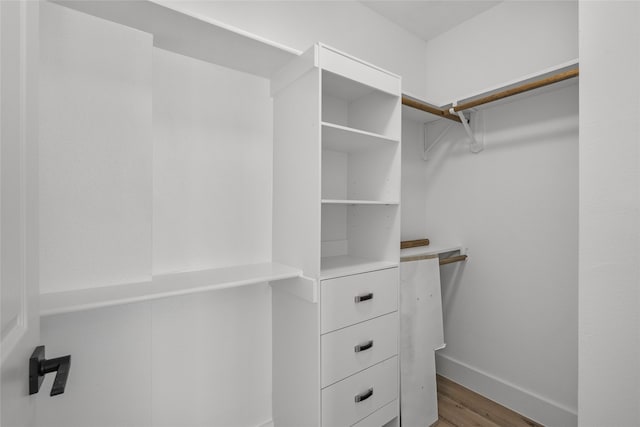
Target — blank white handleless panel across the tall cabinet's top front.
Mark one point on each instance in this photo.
(359, 71)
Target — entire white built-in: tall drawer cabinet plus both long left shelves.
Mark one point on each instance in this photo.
(336, 218)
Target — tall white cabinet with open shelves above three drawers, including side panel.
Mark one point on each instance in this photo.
(336, 216)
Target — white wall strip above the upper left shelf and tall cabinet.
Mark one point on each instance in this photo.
(344, 25)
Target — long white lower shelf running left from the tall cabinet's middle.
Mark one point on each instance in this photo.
(164, 286)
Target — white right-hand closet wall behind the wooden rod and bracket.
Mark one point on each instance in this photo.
(511, 310)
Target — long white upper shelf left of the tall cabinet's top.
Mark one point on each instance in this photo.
(192, 35)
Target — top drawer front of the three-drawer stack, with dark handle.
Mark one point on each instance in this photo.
(352, 299)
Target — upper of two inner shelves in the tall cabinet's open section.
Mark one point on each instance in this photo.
(342, 138)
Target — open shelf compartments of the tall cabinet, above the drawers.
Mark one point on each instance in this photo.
(360, 174)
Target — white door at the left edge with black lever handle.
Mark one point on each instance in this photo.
(18, 207)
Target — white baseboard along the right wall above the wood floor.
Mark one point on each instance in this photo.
(538, 408)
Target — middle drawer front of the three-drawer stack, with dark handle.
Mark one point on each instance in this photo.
(352, 349)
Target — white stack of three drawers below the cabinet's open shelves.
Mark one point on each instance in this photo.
(358, 345)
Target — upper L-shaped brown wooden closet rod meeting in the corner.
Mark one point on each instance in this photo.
(443, 112)
